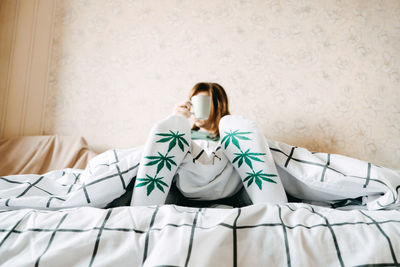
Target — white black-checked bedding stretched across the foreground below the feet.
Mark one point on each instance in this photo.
(291, 234)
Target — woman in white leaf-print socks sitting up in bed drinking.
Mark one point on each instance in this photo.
(220, 160)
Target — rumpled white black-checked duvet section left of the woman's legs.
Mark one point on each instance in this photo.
(105, 178)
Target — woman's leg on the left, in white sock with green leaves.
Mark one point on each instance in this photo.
(164, 151)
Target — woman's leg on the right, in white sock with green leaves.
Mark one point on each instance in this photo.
(245, 146)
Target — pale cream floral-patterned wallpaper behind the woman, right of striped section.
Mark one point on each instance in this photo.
(324, 75)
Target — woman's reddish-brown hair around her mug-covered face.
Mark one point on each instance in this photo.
(219, 106)
